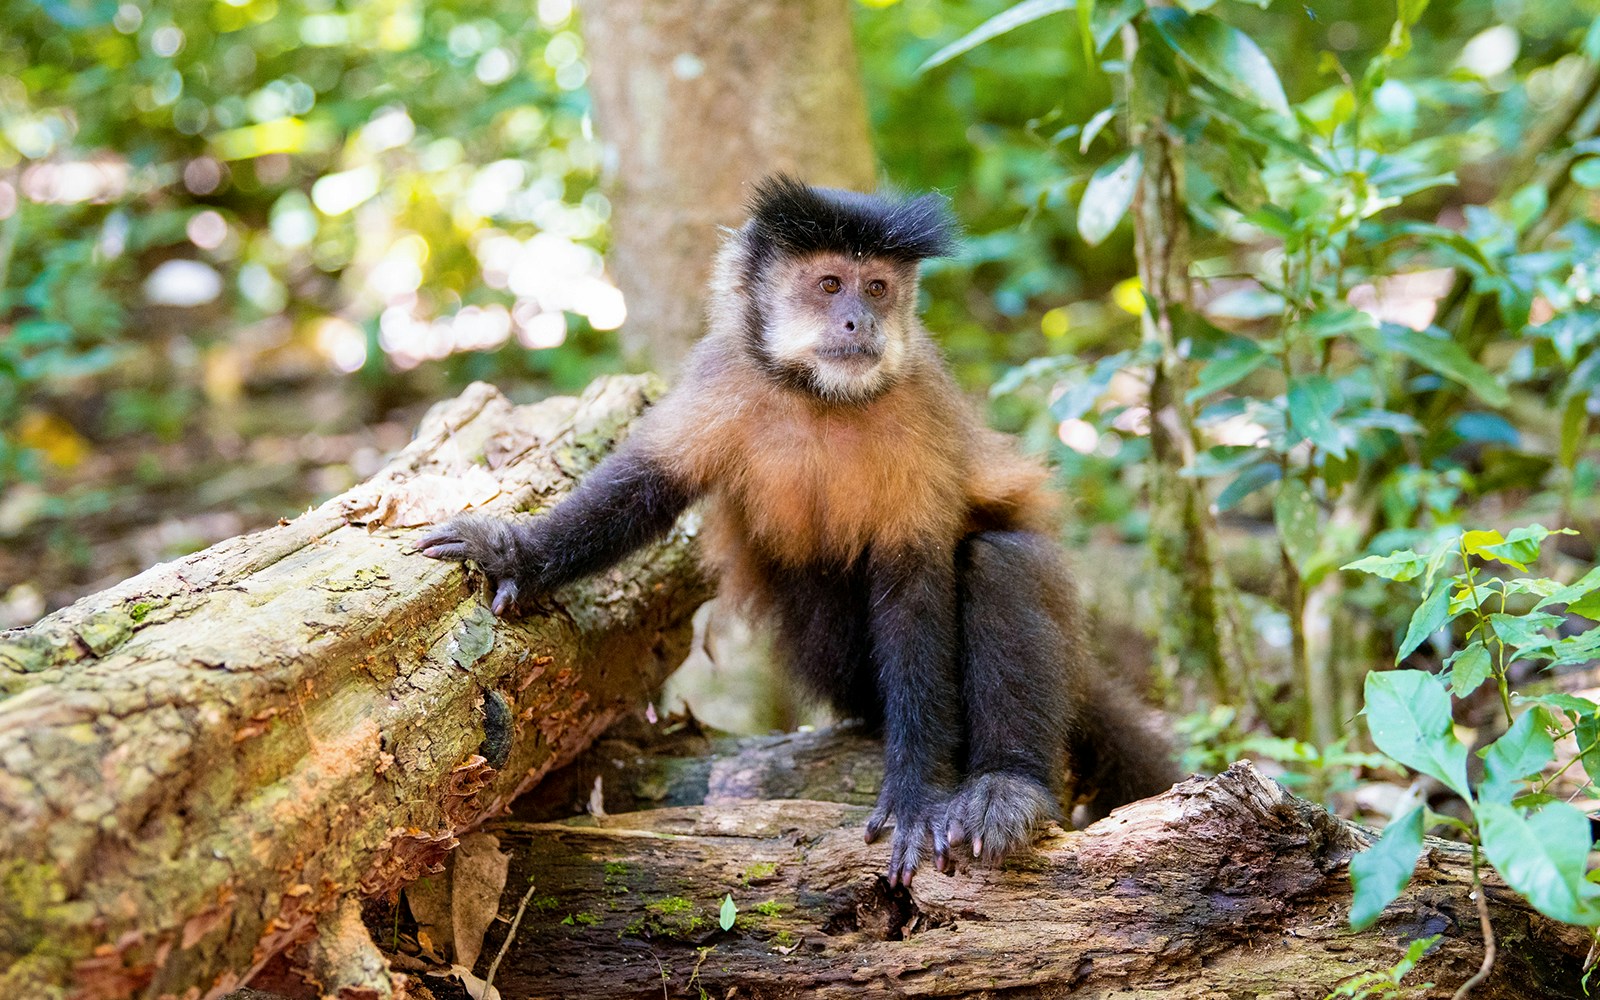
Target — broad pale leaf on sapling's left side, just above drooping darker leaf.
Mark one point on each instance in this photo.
(1409, 716)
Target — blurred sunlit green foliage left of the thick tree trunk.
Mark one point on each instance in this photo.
(199, 193)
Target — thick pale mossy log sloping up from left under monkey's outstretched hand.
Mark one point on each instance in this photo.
(209, 764)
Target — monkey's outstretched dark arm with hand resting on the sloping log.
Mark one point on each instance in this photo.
(628, 502)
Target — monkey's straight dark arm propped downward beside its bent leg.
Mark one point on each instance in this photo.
(913, 623)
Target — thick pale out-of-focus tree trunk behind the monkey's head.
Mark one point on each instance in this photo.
(695, 102)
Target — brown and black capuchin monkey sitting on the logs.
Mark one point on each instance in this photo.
(903, 553)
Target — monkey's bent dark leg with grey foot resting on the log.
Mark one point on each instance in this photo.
(1018, 671)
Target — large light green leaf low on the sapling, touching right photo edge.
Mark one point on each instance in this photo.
(1543, 857)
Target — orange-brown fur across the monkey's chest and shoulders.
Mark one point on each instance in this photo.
(794, 481)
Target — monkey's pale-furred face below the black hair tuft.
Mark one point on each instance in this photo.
(839, 322)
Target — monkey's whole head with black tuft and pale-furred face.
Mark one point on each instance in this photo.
(828, 282)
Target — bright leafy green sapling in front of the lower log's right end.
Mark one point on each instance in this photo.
(1538, 844)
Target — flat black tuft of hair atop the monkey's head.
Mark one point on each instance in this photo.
(799, 220)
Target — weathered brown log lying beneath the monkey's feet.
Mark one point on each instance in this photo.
(1225, 887)
